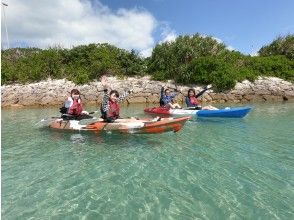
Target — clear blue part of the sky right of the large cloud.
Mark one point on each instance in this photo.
(245, 25)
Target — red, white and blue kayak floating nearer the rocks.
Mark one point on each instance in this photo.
(236, 112)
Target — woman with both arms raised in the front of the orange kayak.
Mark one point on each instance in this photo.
(110, 102)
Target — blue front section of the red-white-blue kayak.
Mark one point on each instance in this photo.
(238, 112)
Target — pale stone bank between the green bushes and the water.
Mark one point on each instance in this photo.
(54, 92)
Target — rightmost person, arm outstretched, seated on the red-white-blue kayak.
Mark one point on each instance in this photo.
(192, 101)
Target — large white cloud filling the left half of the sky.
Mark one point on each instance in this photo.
(72, 22)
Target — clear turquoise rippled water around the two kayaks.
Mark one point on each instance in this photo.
(212, 169)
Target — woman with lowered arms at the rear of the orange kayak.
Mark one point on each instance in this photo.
(73, 108)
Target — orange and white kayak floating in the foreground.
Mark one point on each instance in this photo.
(137, 126)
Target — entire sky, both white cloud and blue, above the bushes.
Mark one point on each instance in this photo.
(244, 25)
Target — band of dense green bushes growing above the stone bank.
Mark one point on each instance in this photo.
(195, 59)
